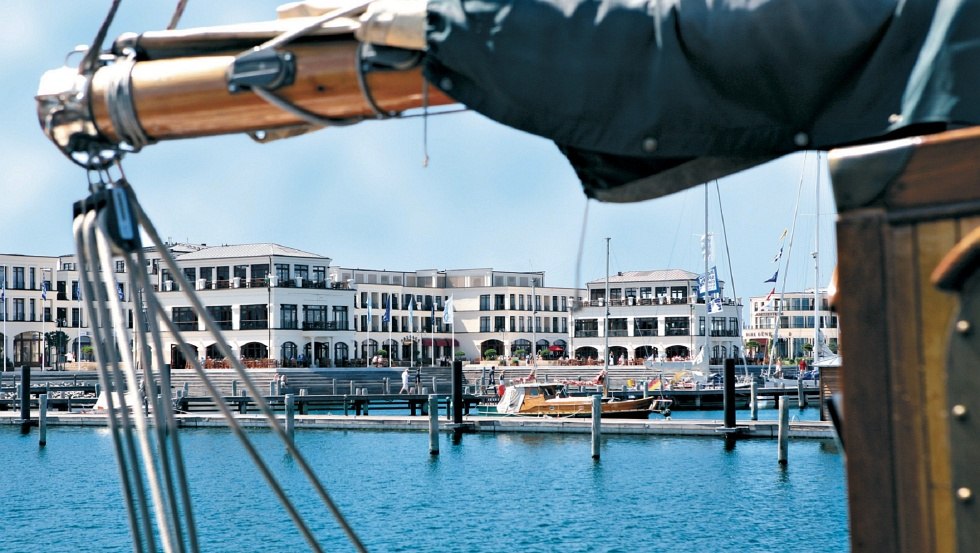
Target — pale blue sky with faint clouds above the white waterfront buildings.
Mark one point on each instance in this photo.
(490, 196)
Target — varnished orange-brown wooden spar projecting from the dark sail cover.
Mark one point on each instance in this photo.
(188, 97)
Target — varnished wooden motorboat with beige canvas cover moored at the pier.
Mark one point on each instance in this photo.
(551, 399)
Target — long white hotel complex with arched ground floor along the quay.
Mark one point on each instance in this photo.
(279, 305)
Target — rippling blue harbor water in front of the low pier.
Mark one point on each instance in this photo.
(530, 492)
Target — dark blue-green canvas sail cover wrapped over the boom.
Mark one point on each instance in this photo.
(646, 98)
